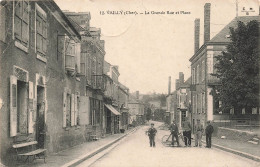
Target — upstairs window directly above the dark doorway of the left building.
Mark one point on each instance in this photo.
(41, 31)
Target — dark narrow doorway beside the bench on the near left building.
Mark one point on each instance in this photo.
(40, 117)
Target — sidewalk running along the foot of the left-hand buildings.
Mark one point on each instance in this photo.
(77, 153)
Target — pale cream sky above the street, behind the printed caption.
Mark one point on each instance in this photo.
(150, 48)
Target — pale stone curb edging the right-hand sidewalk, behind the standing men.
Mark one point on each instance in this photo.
(243, 154)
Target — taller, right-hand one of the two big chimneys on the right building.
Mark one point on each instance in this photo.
(207, 22)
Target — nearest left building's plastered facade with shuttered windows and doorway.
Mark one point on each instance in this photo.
(41, 49)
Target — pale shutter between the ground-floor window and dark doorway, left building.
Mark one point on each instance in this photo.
(31, 109)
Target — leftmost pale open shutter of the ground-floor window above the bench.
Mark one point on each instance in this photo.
(13, 105)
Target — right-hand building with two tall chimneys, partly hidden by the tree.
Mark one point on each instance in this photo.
(205, 107)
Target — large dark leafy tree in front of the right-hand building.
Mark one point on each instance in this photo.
(238, 69)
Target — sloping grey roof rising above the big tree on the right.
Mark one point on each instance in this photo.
(221, 36)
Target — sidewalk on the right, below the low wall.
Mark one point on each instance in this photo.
(244, 149)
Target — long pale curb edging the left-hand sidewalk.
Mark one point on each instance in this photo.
(82, 158)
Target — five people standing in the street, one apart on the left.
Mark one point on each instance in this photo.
(198, 132)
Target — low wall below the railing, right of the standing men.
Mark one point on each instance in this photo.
(234, 134)
